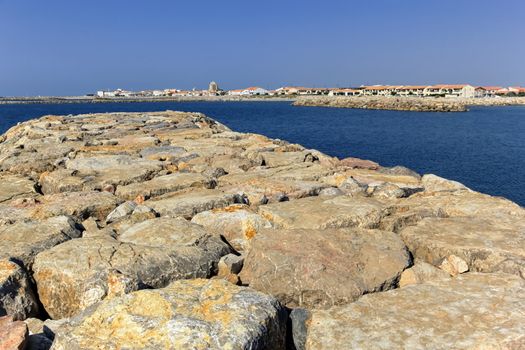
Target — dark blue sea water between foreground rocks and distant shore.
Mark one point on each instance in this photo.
(483, 148)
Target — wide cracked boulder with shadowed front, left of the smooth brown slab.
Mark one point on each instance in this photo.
(150, 254)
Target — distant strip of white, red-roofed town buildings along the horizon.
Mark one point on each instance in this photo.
(443, 90)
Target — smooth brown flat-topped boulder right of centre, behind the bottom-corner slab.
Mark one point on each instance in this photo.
(321, 268)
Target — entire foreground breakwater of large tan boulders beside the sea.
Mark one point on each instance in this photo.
(167, 230)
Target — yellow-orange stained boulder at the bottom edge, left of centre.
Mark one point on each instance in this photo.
(197, 314)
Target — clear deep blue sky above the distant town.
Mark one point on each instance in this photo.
(60, 47)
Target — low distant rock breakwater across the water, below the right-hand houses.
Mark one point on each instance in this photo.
(407, 103)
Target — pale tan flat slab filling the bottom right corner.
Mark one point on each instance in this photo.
(472, 311)
